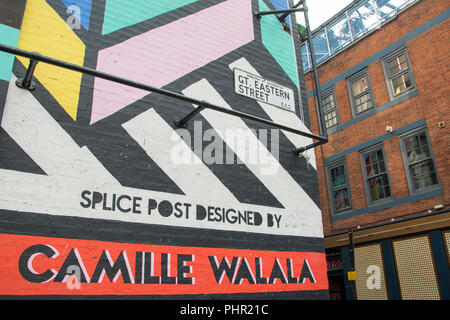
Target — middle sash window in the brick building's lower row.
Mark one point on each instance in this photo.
(375, 175)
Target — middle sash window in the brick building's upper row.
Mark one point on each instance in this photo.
(360, 92)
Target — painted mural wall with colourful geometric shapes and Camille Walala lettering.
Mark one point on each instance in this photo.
(101, 194)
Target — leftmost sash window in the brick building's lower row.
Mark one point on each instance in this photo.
(339, 187)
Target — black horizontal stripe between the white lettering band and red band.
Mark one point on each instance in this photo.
(45, 225)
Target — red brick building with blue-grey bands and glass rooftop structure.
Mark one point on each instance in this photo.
(384, 176)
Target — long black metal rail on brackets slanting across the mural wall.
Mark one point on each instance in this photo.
(35, 57)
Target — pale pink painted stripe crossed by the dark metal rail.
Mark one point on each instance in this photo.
(162, 55)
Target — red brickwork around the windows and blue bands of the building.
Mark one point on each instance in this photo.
(428, 53)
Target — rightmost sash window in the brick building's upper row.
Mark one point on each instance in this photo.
(398, 73)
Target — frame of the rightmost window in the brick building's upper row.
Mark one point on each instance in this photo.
(388, 77)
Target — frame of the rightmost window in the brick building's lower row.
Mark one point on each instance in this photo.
(406, 165)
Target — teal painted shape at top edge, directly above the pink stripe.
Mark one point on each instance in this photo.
(124, 13)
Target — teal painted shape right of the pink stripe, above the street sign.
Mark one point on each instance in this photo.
(279, 43)
